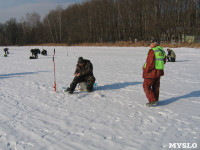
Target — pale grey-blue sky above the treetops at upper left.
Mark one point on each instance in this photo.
(18, 8)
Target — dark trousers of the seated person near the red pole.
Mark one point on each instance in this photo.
(90, 80)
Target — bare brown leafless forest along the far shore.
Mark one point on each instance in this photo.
(101, 21)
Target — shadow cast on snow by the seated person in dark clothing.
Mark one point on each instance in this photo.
(116, 86)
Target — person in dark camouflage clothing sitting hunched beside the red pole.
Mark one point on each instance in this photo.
(83, 73)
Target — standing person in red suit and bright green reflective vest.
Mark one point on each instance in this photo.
(153, 69)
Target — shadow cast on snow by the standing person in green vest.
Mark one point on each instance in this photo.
(173, 99)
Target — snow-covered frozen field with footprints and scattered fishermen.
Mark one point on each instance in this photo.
(113, 117)
